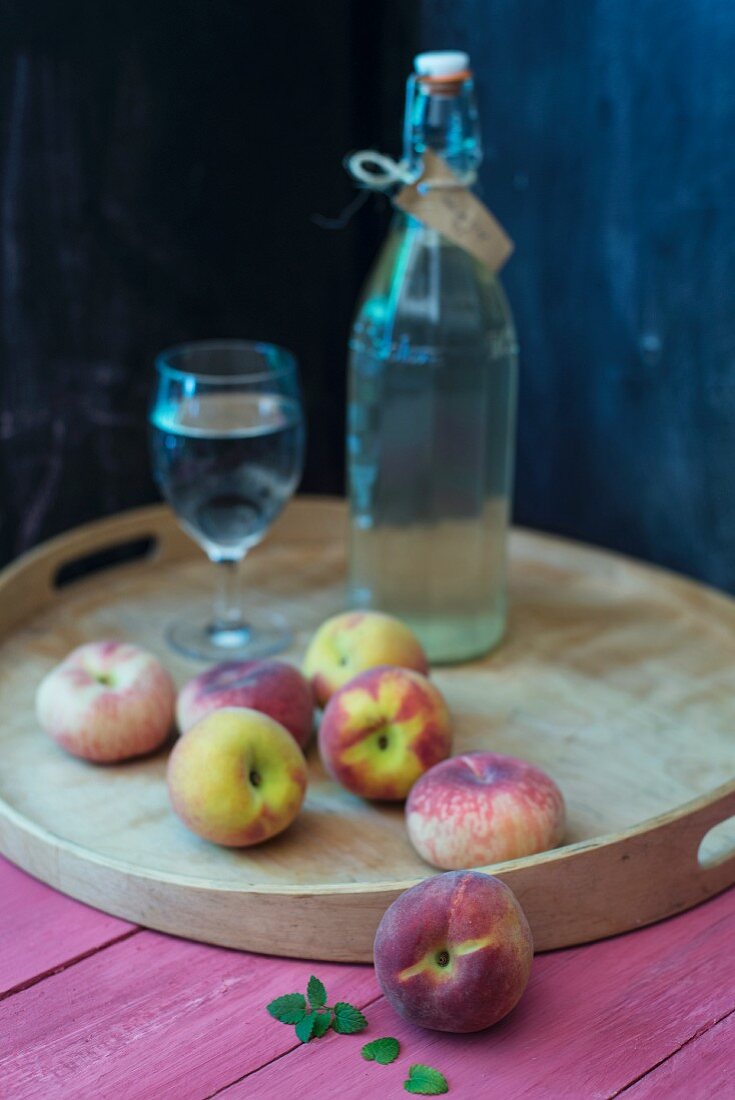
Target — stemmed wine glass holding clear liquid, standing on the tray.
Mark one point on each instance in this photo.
(227, 443)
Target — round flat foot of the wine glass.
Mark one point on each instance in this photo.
(266, 634)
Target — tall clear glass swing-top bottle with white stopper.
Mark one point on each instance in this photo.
(432, 406)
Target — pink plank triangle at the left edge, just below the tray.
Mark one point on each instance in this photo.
(41, 930)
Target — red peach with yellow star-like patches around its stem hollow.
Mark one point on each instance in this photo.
(382, 731)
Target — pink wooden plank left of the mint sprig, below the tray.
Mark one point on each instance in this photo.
(156, 1017)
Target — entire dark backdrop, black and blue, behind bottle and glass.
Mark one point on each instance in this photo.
(162, 166)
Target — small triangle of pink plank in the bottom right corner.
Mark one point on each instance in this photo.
(703, 1070)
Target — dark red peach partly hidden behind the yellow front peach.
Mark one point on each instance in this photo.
(272, 688)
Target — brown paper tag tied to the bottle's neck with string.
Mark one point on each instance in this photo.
(456, 214)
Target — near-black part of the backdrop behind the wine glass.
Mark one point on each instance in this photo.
(161, 164)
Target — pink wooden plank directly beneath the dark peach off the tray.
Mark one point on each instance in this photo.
(594, 1020)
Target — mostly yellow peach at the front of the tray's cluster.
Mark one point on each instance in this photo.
(237, 778)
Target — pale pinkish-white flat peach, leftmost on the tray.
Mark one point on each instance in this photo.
(106, 702)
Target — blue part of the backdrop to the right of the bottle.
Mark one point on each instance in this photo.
(610, 131)
